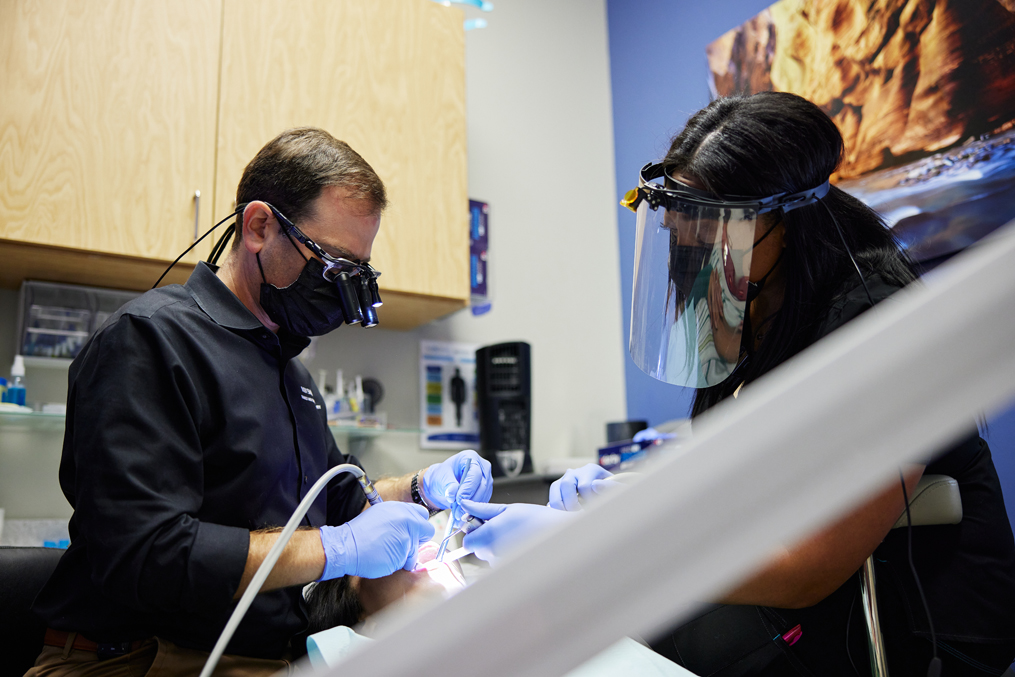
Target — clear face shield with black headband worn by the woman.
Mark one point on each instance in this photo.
(693, 264)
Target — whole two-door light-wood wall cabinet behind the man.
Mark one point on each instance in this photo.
(115, 113)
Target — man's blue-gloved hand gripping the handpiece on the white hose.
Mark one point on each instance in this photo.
(379, 541)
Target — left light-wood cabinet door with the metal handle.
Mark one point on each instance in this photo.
(108, 123)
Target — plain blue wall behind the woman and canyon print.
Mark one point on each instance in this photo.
(658, 70)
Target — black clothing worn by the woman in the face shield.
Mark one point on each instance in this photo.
(968, 573)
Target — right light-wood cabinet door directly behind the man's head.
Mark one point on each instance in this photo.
(388, 78)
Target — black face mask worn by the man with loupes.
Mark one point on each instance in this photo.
(309, 307)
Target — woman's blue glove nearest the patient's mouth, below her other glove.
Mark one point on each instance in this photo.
(508, 527)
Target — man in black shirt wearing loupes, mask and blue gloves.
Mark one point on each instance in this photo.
(193, 434)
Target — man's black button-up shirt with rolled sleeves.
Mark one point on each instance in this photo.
(189, 425)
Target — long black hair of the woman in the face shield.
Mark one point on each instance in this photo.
(776, 143)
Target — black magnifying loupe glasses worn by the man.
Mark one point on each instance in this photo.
(356, 283)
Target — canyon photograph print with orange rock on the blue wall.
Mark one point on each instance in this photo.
(923, 93)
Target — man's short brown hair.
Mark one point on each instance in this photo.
(292, 170)
